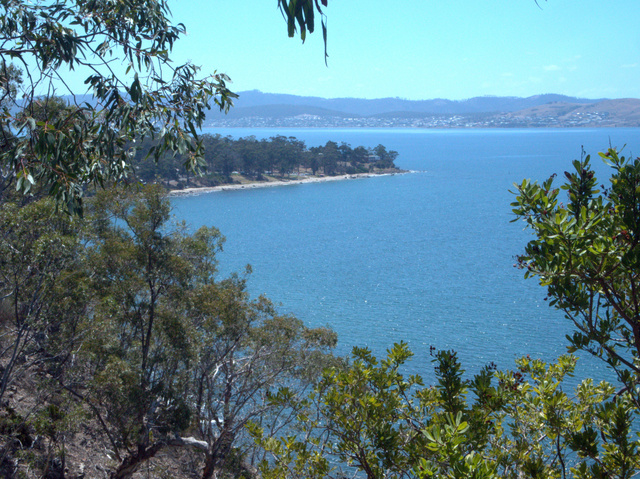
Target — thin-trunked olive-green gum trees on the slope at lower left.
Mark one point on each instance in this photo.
(120, 319)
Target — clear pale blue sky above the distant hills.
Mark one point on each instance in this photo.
(422, 49)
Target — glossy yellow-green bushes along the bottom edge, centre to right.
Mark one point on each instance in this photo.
(369, 421)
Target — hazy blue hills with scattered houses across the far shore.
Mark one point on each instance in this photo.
(254, 108)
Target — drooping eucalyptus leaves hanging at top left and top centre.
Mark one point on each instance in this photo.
(122, 50)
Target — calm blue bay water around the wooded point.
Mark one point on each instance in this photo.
(425, 258)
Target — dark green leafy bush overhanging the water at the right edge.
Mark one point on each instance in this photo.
(586, 253)
